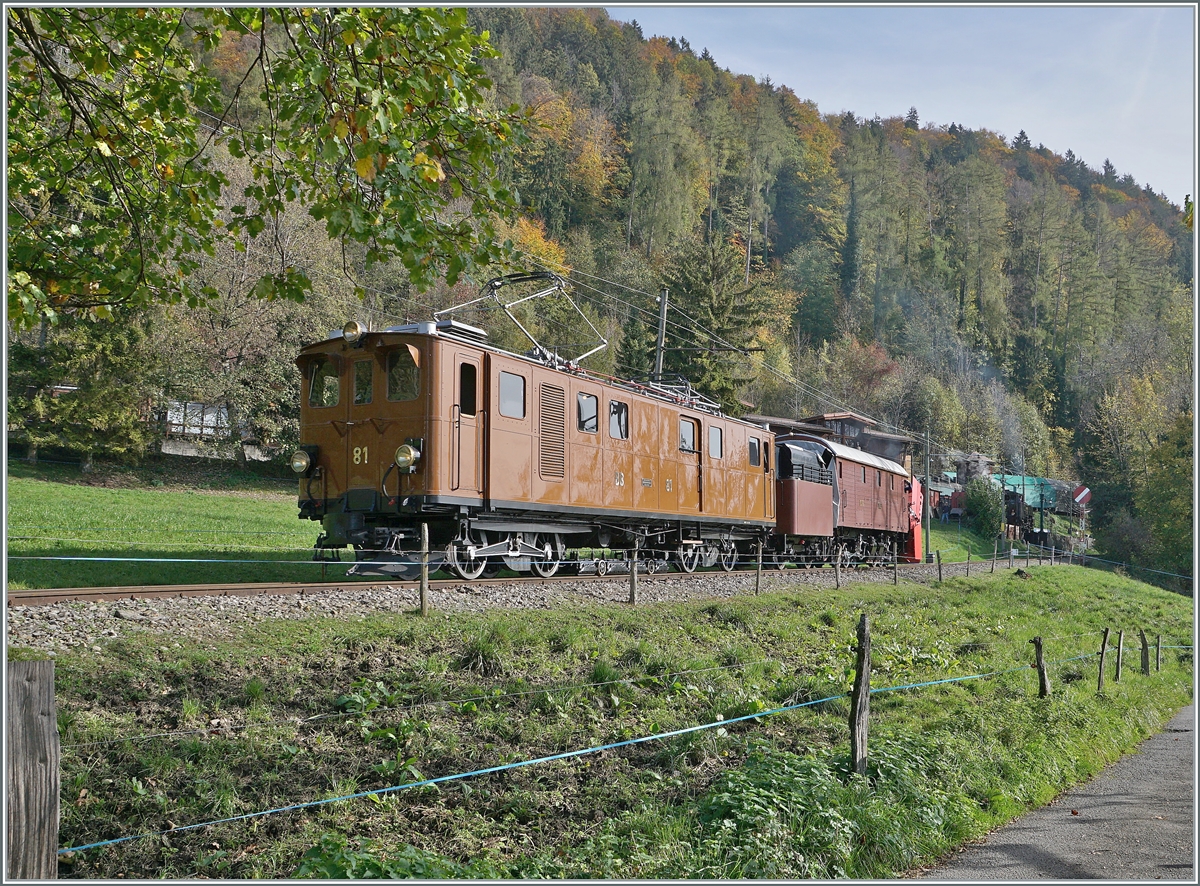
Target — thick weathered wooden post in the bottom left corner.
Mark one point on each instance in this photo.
(33, 737)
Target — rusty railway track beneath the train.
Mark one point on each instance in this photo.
(50, 597)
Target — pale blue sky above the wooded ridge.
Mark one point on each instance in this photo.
(1108, 82)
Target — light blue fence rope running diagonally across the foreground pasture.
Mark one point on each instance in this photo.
(523, 764)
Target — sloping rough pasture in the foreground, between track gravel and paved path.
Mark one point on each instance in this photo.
(298, 711)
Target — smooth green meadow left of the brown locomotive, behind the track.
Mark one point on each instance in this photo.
(98, 531)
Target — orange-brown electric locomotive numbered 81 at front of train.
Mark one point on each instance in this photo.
(514, 460)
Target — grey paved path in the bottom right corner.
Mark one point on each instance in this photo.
(1133, 822)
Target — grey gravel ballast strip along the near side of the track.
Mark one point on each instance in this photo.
(88, 626)
